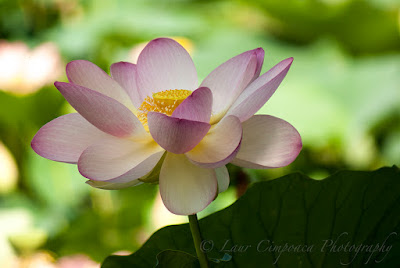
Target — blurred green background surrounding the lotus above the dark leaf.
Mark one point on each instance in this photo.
(342, 93)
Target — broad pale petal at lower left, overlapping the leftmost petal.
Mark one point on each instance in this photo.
(119, 160)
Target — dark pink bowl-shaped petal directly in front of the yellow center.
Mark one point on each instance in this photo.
(176, 135)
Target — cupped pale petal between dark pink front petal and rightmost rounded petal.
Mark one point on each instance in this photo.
(218, 146)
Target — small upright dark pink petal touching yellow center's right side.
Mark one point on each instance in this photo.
(196, 107)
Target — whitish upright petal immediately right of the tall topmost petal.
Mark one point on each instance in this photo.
(228, 80)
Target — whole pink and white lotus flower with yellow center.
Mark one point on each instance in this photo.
(152, 122)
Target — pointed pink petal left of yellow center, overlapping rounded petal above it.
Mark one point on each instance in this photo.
(103, 112)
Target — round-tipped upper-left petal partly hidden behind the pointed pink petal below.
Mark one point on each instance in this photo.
(89, 75)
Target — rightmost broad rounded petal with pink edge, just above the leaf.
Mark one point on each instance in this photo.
(268, 142)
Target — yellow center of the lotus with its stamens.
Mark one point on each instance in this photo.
(163, 102)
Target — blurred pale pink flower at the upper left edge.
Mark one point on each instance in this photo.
(24, 71)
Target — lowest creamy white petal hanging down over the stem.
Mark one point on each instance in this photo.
(186, 188)
